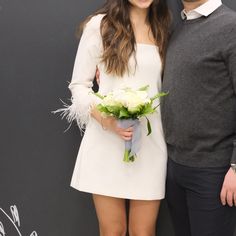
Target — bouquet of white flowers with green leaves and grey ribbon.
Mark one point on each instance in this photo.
(128, 105)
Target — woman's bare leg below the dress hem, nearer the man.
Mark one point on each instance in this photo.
(142, 217)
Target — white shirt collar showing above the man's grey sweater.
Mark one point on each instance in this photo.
(204, 10)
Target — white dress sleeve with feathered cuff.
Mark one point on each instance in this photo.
(87, 58)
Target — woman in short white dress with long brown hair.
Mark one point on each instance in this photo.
(126, 41)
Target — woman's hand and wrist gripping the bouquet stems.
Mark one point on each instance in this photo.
(111, 123)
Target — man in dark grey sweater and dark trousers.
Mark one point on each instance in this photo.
(199, 120)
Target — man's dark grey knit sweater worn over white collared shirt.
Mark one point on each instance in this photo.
(199, 114)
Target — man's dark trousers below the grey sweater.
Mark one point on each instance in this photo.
(193, 196)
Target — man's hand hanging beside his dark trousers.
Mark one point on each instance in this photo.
(228, 192)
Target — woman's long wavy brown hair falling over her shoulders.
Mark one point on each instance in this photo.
(117, 33)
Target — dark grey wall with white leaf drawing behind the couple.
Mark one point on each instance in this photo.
(37, 50)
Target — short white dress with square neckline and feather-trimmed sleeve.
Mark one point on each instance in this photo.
(99, 167)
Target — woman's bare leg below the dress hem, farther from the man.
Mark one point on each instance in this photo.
(111, 215)
